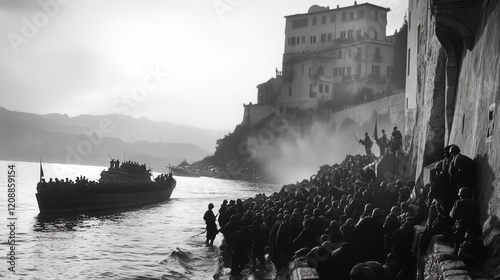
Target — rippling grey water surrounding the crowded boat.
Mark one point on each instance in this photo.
(162, 241)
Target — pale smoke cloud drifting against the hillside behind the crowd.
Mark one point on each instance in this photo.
(300, 150)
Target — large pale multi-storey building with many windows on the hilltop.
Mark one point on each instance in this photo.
(333, 59)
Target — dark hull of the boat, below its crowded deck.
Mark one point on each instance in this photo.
(71, 202)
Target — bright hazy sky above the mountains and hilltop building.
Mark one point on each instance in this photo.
(191, 62)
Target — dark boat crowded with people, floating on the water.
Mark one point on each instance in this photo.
(119, 187)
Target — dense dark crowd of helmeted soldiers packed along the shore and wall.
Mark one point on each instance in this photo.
(346, 225)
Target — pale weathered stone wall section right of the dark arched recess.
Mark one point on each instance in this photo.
(475, 118)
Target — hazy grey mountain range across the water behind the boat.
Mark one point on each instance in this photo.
(89, 139)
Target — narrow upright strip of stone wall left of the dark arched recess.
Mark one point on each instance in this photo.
(427, 129)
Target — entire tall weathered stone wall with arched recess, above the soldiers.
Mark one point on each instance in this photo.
(474, 104)
